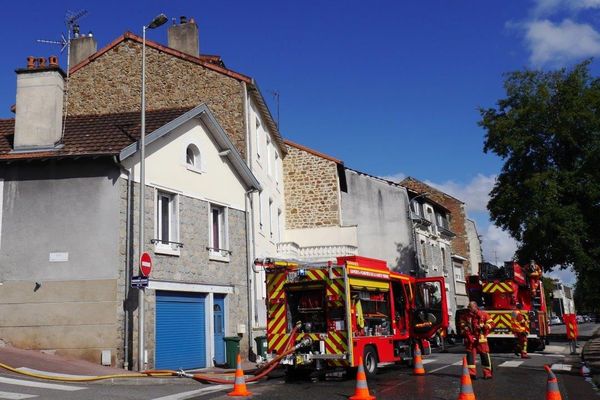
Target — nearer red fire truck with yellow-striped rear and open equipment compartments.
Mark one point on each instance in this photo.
(323, 316)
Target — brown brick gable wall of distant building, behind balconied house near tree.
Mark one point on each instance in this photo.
(460, 243)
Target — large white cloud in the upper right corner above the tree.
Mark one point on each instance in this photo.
(557, 44)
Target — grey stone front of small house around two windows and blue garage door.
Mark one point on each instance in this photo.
(191, 266)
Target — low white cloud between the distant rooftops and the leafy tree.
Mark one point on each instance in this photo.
(475, 194)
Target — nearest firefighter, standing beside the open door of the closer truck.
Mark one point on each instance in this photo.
(475, 326)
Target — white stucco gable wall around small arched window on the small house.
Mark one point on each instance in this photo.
(215, 181)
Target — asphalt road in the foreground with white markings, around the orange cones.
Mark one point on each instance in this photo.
(513, 379)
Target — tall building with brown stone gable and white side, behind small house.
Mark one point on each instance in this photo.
(178, 75)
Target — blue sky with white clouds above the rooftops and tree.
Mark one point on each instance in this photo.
(392, 88)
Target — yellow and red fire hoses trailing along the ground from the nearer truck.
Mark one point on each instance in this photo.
(260, 373)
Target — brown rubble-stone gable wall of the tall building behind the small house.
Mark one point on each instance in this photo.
(112, 83)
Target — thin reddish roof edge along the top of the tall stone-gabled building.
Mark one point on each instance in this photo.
(209, 61)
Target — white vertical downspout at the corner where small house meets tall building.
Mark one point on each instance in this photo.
(250, 243)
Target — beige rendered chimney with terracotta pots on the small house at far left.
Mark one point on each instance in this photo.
(39, 107)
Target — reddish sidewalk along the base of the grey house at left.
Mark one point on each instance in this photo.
(51, 364)
